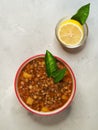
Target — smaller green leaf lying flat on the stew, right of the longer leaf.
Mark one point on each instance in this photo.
(58, 75)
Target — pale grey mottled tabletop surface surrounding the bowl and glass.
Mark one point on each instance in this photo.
(27, 28)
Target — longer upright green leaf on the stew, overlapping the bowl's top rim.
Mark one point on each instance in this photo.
(50, 62)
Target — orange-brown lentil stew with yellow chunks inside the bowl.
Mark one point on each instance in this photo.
(39, 91)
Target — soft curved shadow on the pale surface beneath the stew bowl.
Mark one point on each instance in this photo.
(51, 120)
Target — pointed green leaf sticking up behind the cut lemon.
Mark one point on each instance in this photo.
(82, 14)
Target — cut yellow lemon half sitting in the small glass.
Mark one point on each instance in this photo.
(70, 32)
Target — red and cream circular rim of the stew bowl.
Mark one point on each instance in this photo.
(38, 112)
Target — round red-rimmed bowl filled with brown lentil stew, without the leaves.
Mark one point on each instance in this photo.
(38, 93)
